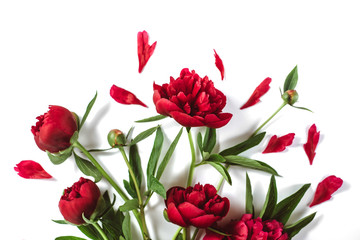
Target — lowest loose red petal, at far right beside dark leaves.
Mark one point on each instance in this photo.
(325, 188)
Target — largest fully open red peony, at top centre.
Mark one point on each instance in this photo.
(192, 101)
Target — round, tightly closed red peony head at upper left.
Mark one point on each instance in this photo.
(54, 129)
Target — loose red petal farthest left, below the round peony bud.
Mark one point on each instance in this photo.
(31, 169)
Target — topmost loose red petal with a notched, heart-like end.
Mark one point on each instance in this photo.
(144, 49)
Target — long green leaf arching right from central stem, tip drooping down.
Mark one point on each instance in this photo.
(250, 163)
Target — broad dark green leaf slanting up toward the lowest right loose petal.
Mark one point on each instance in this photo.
(284, 208)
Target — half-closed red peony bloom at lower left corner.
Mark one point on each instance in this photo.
(81, 198)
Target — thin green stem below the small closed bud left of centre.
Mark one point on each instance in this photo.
(137, 189)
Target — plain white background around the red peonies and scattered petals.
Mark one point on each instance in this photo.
(62, 52)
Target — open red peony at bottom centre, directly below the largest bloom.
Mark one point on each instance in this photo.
(199, 206)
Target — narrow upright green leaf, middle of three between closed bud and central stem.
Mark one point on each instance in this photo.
(155, 155)
